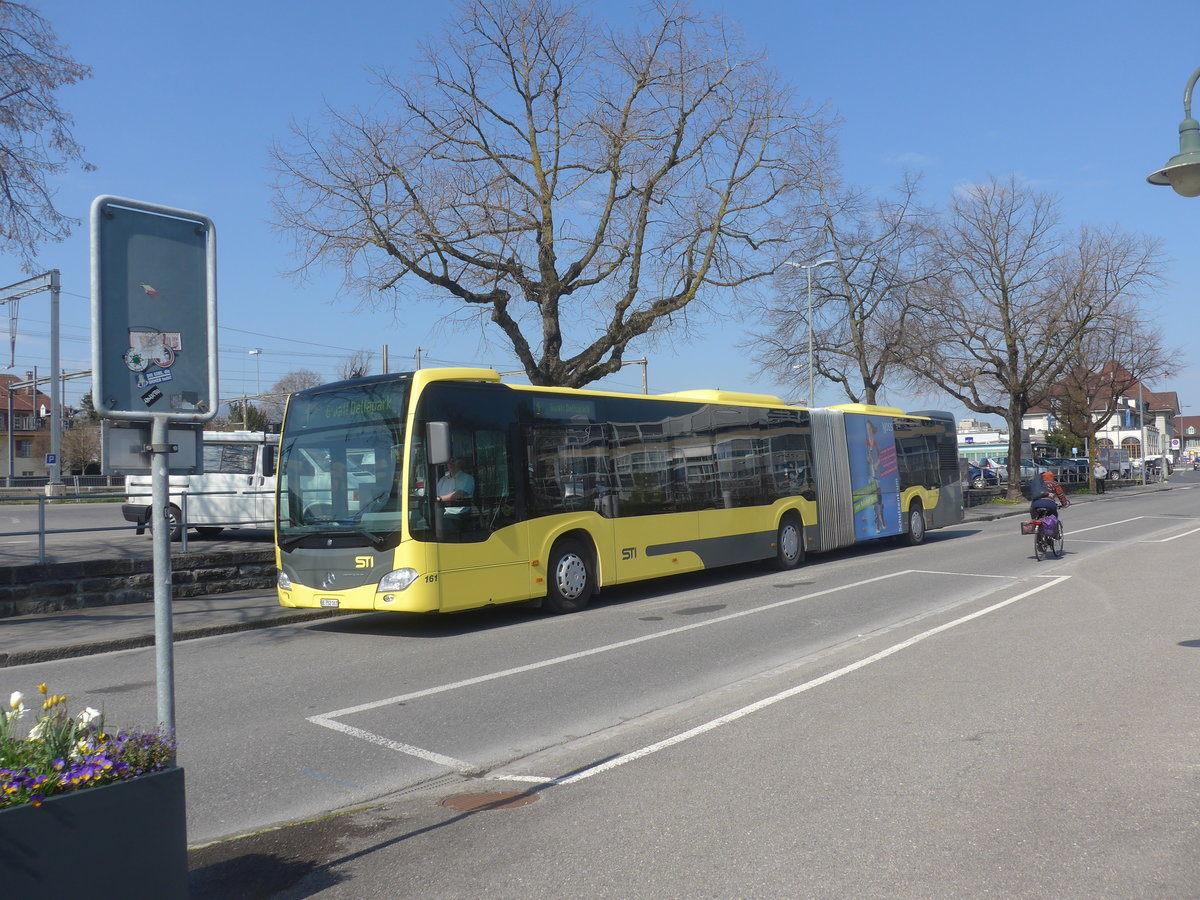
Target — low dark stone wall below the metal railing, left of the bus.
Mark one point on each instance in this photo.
(27, 590)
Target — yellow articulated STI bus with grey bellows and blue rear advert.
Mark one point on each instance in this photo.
(446, 490)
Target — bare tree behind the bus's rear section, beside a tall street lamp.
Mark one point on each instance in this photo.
(860, 310)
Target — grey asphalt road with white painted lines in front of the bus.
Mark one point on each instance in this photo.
(949, 721)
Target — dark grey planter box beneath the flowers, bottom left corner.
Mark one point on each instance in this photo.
(127, 839)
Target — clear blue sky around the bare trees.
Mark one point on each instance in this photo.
(1081, 99)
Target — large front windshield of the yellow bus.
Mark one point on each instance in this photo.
(340, 464)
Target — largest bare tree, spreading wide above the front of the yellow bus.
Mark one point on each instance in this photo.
(579, 188)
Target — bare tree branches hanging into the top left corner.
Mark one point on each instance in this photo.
(37, 142)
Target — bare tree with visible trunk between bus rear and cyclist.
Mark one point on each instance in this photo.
(1017, 302)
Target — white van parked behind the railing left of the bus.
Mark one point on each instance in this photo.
(236, 491)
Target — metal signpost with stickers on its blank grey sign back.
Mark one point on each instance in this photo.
(154, 356)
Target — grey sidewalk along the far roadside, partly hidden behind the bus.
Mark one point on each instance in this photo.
(103, 629)
